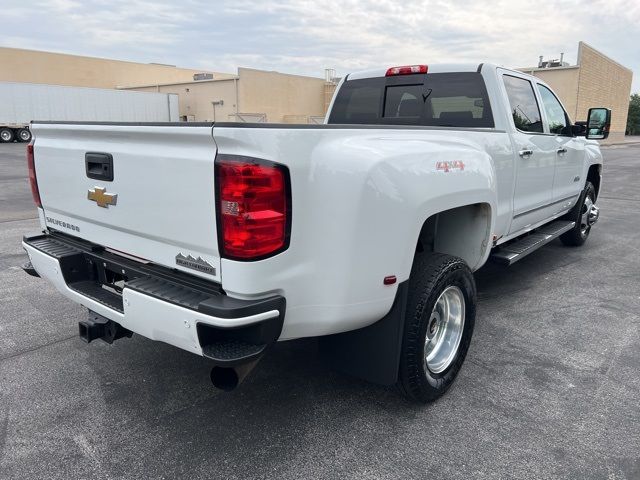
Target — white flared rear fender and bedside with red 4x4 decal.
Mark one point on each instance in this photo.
(360, 198)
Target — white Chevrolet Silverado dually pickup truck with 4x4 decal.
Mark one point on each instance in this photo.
(224, 238)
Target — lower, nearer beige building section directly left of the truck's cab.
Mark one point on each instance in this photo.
(250, 96)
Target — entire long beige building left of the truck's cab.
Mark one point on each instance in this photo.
(249, 95)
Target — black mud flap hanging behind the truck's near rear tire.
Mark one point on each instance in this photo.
(371, 353)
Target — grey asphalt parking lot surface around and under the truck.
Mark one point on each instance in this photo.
(550, 388)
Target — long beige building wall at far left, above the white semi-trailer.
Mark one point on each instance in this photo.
(30, 66)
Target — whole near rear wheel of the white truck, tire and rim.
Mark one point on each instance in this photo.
(439, 321)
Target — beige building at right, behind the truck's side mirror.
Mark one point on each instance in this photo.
(595, 81)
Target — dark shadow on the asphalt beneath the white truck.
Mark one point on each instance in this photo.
(290, 396)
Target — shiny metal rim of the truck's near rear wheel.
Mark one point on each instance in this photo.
(444, 330)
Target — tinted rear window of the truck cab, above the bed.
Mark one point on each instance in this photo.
(436, 99)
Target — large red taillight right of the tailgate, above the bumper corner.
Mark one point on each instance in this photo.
(254, 207)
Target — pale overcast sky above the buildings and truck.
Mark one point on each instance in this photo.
(305, 37)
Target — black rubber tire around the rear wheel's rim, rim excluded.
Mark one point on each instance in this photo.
(431, 275)
